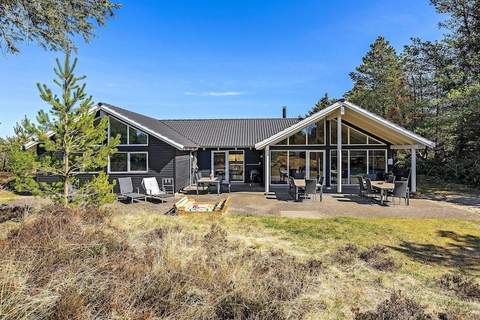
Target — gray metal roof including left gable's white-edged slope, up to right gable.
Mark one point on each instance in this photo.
(211, 133)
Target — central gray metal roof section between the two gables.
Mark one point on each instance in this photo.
(229, 133)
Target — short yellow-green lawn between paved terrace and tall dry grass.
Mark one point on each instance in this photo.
(423, 249)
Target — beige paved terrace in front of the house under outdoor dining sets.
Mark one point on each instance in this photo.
(251, 201)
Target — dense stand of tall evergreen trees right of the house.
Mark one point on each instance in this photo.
(432, 88)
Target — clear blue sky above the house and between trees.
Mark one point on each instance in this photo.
(213, 59)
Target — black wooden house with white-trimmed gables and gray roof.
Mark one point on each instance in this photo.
(267, 151)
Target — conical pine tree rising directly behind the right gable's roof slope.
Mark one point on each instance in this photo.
(378, 83)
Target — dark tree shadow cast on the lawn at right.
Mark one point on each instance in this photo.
(462, 252)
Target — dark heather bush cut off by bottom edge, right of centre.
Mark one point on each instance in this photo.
(397, 307)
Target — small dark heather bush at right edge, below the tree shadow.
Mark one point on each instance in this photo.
(464, 287)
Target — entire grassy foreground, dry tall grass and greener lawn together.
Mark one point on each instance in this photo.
(172, 258)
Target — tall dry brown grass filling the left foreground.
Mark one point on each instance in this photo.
(70, 264)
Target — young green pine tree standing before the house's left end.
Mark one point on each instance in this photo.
(79, 141)
